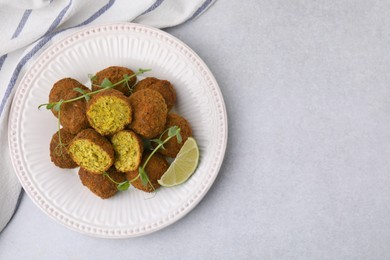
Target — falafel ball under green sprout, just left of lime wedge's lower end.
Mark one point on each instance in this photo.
(155, 168)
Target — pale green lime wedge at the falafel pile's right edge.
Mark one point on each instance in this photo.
(183, 166)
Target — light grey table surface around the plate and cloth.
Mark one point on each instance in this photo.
(306, 173)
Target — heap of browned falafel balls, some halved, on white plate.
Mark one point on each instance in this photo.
(106, 134)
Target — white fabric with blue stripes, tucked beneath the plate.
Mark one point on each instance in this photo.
(27, 27)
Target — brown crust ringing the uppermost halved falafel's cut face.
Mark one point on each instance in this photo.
(111, 93)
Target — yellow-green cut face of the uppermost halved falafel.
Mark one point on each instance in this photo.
(109, 115)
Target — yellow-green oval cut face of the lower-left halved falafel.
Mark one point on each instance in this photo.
(90, 156)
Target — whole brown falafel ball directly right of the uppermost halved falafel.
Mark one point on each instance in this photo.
(149, 113)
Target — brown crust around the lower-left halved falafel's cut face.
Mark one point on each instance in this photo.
(92, 136)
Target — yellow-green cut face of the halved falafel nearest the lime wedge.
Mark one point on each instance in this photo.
(127, 151)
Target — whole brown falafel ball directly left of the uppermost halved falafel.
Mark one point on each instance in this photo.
(73, 115)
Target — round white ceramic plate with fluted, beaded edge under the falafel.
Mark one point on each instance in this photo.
(59, 192)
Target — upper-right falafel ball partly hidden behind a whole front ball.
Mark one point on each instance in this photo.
(164, 87)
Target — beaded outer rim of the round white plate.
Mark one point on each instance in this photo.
(17, 108)
